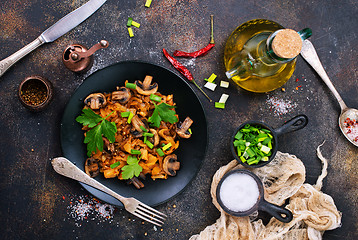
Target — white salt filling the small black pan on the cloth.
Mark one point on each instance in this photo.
(239, 192)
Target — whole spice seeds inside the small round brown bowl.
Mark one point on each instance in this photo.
(34, 92)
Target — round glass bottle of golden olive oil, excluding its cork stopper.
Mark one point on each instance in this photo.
(249, 61)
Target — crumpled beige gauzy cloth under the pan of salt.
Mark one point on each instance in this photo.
(283, 178)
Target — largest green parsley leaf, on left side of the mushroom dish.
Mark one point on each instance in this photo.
(93, 137)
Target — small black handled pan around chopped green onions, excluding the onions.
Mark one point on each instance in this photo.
(296, 123)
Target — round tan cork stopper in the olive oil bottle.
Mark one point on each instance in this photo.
(287, 43)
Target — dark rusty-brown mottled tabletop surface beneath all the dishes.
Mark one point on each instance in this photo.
(37, 203)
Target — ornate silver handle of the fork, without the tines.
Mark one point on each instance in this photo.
(66, 168)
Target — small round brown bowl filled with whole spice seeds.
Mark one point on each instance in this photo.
(35, 92)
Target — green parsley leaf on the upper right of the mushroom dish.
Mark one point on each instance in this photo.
(163, 112)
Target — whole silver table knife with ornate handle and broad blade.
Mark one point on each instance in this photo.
(61, 27)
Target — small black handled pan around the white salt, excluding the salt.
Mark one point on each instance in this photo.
(280, 213)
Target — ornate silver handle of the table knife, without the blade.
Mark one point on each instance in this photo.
(12, 59)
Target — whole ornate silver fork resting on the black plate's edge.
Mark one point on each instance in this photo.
(66, 168)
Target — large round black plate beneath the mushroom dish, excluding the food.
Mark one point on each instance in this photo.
(191, 151)
